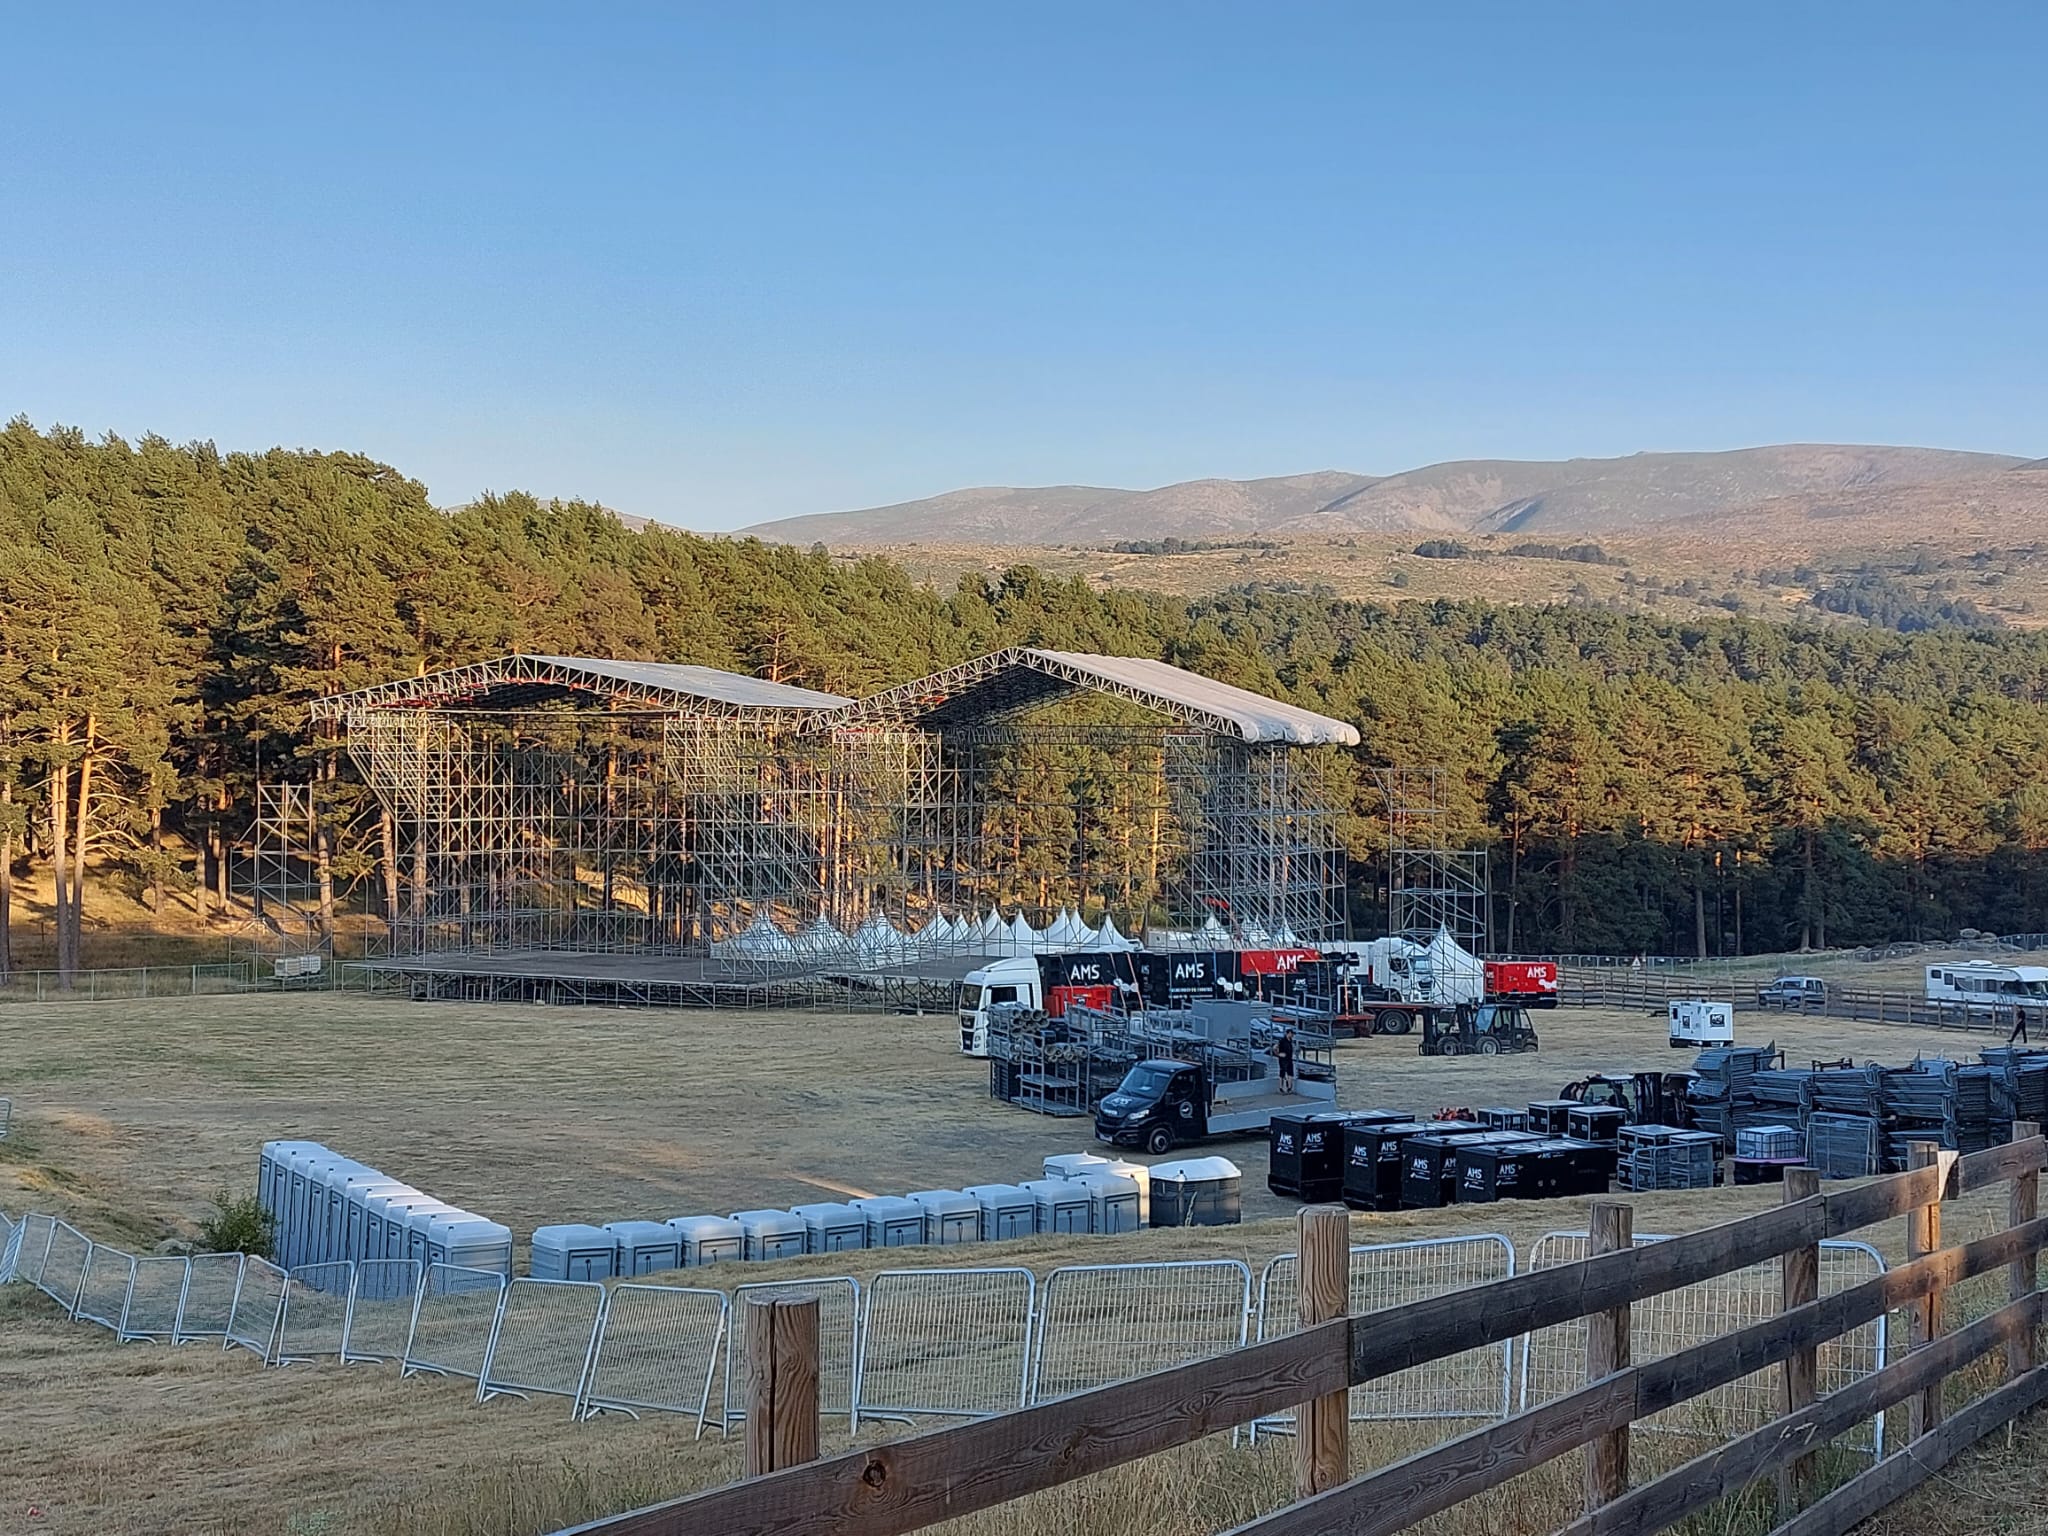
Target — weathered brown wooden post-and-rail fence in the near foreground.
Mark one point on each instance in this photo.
(919, 1482)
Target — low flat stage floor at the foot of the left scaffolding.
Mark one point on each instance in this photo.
(648, 980)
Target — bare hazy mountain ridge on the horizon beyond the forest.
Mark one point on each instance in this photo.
(1648, 493)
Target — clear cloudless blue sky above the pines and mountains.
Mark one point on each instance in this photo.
(720, 265)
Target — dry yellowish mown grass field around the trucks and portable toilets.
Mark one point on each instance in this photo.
(130, 1115)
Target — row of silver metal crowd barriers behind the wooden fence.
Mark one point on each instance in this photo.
(908, 1345)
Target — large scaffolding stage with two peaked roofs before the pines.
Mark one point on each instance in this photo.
(667, 824)
